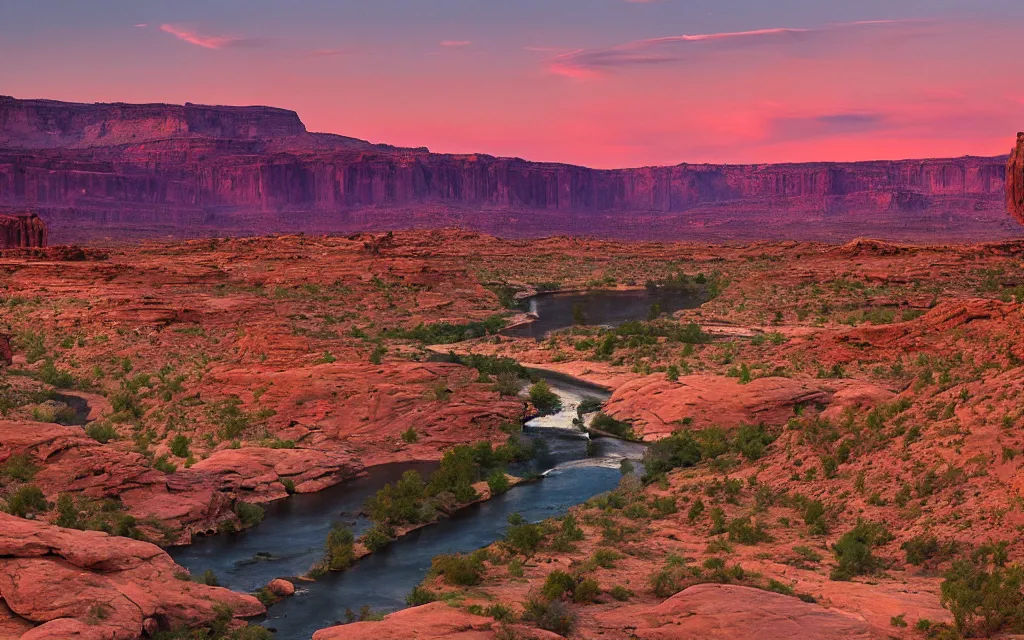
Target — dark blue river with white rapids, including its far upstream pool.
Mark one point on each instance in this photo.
(290, 539)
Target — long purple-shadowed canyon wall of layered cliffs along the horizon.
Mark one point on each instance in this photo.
(184, 170)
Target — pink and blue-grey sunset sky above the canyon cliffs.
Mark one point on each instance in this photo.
(604, 83)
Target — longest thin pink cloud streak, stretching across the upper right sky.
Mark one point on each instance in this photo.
(675, 50)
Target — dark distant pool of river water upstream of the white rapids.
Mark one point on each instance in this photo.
(560, 311)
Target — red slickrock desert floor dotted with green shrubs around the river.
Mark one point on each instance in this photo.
(834, 435)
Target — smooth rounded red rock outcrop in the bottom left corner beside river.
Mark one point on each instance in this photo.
(71, 584)
